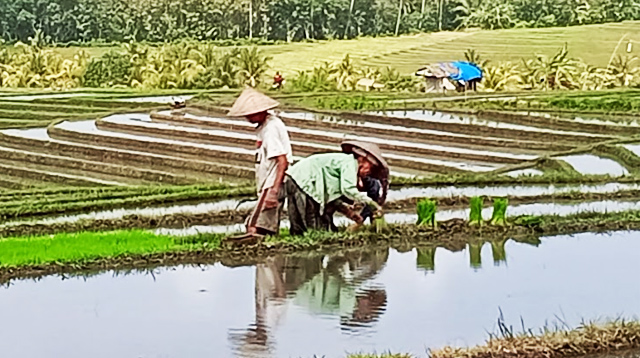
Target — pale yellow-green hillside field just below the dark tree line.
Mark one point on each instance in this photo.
(593, 43)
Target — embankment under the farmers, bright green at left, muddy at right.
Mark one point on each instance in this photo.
(39, 255)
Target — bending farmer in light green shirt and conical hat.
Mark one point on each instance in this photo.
(321, 184)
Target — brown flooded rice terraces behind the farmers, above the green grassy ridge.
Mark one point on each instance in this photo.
(112, 139)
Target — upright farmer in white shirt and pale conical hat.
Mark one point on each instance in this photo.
(273, 156)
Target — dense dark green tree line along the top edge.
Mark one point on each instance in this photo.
(90, 21)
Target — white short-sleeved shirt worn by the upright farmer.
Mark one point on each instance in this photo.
(273, 141)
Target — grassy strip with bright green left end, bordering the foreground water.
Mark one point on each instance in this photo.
(64, 248)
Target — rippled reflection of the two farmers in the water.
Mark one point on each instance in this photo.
(323, 285)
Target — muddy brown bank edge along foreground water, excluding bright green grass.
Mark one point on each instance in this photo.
(453, 234)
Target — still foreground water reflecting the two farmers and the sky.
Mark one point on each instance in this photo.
(298, 306)
